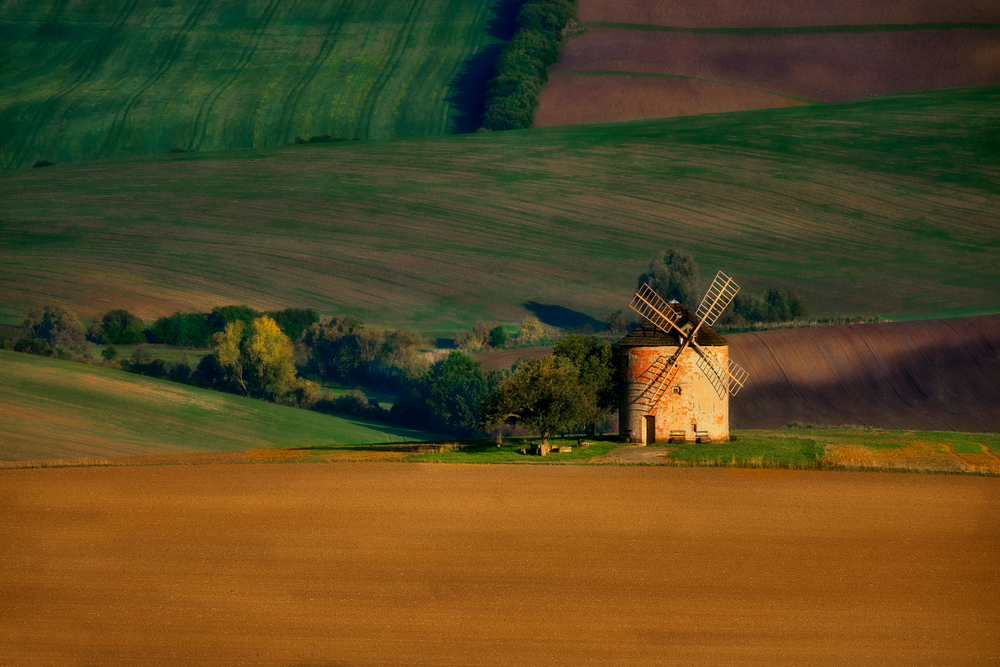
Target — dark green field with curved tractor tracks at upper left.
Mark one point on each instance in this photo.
(96, 79)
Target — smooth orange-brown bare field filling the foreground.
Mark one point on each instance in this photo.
(421, 564)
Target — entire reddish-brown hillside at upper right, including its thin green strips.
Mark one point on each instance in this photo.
(642, 59)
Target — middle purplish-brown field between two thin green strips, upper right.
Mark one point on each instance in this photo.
(826, 67)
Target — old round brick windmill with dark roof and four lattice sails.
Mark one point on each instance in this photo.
(676, 374)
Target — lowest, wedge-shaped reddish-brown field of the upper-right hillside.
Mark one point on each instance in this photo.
(579, 99)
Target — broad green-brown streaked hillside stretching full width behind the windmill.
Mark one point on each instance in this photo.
(881, 206)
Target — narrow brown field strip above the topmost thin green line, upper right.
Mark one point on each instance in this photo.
(785, 13)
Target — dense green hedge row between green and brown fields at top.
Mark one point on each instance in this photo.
(512, 93)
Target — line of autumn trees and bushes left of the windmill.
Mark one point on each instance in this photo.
(253, 355)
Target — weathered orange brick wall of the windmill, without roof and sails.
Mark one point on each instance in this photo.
(698, 404)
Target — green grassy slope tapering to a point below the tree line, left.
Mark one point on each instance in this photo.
(59, 409)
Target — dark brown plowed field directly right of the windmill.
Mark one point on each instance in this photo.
(927, 375)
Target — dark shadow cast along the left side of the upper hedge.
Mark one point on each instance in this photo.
(467, 88)
